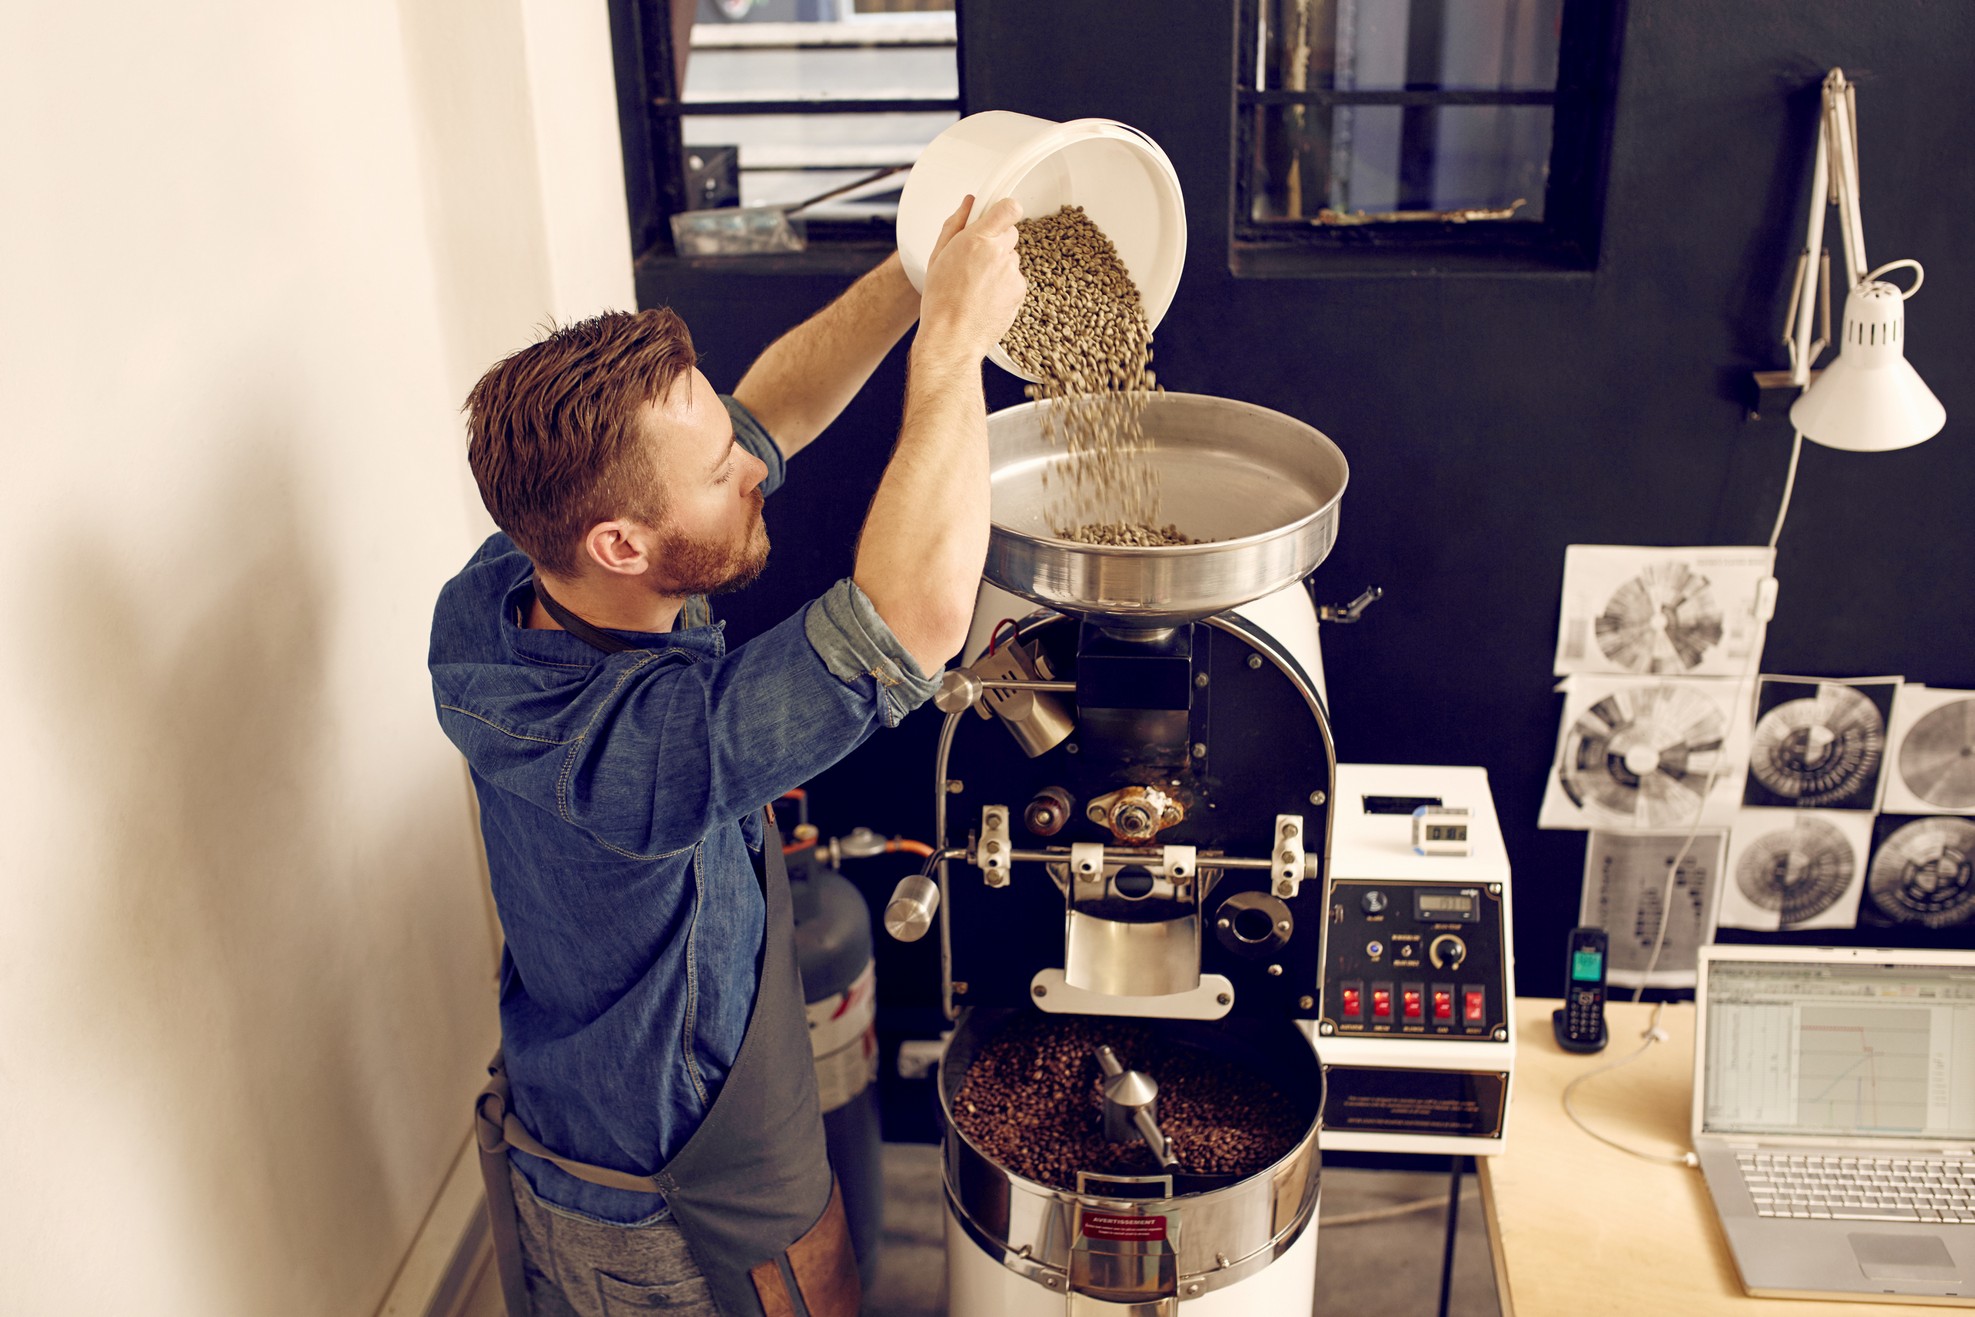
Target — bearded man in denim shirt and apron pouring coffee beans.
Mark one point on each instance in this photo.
(659, 1091)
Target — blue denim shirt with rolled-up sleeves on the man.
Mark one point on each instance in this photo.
(619, 801)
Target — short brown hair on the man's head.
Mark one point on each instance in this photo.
(554, 433)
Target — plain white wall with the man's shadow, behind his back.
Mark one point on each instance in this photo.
(252, 256)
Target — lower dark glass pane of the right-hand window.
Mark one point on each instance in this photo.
(1399, 159)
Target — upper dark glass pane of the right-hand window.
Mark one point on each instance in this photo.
(1407, 44)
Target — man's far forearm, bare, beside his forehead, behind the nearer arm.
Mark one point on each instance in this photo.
(809, 376)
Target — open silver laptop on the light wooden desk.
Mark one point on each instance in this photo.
(1836, 1119)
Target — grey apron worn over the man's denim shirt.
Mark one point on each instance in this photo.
(751, 1192)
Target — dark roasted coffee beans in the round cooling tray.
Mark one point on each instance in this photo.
(1222, 1119)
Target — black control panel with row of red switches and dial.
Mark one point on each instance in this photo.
(1415, 959)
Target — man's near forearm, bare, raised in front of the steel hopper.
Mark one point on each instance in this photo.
(925, 540)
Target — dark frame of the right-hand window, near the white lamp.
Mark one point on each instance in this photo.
(1575, 193)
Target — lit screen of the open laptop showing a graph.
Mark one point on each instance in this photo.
(1840, 1049)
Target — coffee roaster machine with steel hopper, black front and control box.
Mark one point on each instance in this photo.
(1160, 830)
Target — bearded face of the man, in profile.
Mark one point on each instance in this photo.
(712, 536)
